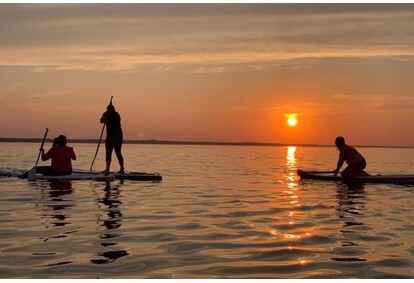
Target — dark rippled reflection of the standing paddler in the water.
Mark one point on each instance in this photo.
(113, 222)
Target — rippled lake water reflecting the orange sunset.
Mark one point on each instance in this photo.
(220, 212)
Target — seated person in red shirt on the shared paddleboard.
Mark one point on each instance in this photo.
(61, 156)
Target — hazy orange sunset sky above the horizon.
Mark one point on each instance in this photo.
(210, 72)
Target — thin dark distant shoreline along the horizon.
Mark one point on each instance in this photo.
(165, 142)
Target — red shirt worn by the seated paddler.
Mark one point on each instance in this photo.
(61, 158)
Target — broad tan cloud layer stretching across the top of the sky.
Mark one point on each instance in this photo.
(215, 38)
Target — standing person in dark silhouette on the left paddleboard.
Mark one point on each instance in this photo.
(114, 137)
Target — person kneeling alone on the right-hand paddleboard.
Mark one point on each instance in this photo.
(356, 162)
